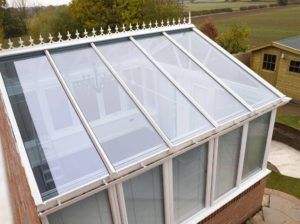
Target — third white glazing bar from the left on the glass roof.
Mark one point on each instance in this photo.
(176, 84)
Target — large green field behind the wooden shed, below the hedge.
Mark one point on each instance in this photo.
(266, 26)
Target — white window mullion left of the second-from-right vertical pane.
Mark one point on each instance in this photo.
(209, 173)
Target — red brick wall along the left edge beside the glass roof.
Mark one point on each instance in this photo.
(24, 210)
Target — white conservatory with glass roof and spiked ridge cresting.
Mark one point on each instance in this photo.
(148, 124)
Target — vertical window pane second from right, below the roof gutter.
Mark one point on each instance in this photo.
(227, 161)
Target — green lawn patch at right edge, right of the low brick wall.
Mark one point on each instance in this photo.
(285, 184)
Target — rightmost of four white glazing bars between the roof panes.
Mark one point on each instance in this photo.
(218, 80)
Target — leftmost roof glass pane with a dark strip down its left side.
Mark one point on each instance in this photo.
(61, 154)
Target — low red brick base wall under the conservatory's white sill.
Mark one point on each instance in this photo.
(240, 208)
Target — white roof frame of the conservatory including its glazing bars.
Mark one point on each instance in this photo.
(147, 163)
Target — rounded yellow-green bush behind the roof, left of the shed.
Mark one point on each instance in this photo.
(236, 39)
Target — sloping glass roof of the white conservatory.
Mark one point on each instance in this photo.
(138, 98)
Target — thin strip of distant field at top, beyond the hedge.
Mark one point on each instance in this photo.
(219, 5)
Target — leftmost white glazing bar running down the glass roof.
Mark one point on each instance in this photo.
(81, 116)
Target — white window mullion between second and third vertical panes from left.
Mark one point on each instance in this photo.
(168, 191)
